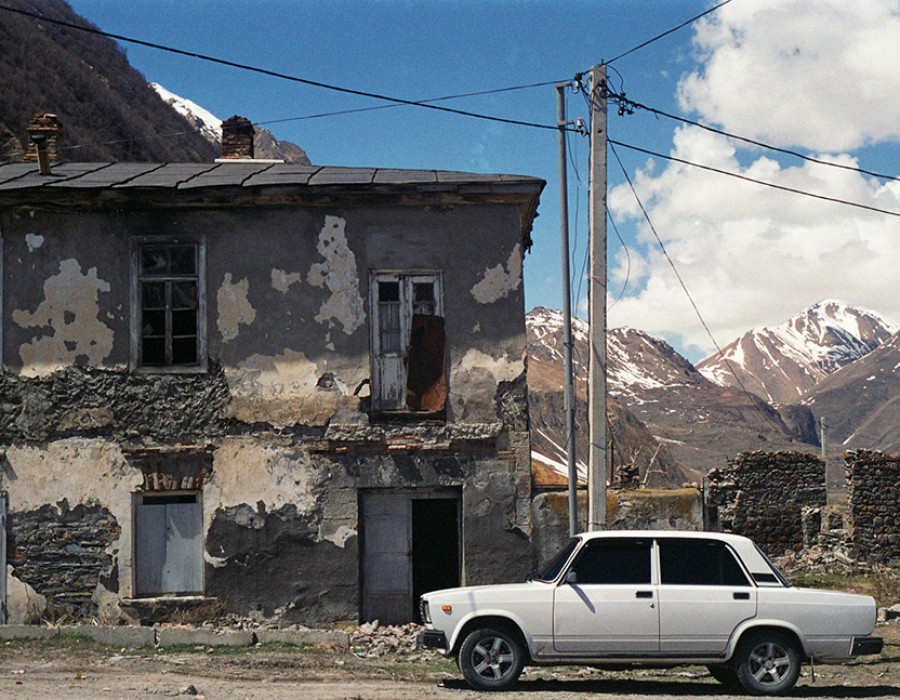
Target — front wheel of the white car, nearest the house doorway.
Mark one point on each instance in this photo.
(491, 659)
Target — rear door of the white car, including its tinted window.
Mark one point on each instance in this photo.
(704, 593)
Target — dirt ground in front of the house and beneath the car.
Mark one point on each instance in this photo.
(76, 669)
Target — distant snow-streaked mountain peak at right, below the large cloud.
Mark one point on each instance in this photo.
(782, 364)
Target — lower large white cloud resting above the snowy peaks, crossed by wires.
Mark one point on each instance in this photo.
(752, 255)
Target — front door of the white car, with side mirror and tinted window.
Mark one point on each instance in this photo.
(606, 602)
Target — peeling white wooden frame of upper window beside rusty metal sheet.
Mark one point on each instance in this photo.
(407, 279)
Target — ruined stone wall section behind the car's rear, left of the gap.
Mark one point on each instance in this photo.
(763, 496)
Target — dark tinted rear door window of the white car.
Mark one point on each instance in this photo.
(699, 563)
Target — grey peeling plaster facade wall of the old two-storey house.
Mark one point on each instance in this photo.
(283, 406)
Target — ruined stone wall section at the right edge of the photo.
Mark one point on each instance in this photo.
(874, 499)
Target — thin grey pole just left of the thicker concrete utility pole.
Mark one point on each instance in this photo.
(569, 386)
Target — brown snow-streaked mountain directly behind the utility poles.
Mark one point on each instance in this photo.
(666, 417)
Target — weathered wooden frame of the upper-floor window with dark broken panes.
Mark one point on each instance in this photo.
(138, 244)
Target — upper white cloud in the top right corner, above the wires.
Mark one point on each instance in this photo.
(820, 75)
